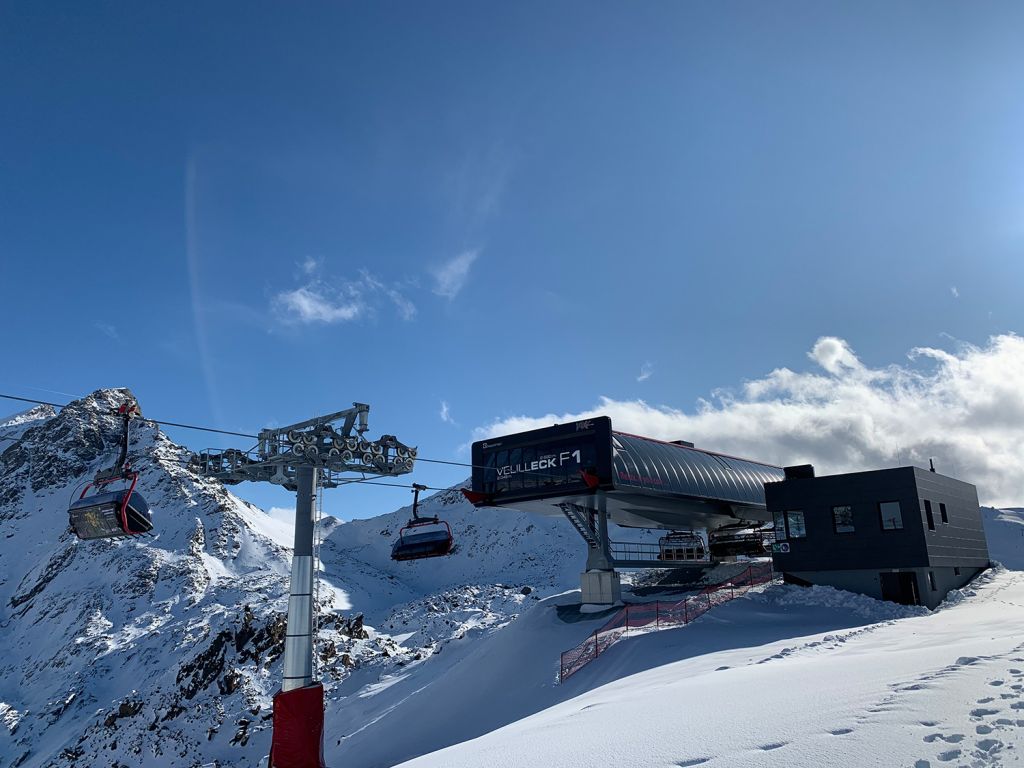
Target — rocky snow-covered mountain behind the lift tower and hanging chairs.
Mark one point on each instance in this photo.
(165, 651)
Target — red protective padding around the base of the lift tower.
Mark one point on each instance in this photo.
(298, 729)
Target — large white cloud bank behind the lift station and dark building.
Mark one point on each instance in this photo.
(964, 408)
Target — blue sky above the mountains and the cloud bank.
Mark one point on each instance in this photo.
(466, 214)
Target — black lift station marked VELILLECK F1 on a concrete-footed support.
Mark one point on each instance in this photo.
(592, 475)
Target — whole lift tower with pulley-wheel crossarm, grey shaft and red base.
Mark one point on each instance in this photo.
(304, 458)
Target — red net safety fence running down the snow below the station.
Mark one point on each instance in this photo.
(660, 615)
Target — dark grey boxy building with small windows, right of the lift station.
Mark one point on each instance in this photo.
(906, 535)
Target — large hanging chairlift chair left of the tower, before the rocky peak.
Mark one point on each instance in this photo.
(113, 515)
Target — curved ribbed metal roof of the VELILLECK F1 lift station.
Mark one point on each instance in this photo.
(667, 467)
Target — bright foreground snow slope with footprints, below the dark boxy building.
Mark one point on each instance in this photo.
(795, 677)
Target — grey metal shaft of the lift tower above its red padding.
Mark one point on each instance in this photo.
(300, 641)
